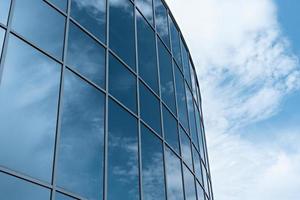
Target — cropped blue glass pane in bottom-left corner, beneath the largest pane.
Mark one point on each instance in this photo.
(12, 188)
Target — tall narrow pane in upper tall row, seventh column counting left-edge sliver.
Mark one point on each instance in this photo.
(181, 98)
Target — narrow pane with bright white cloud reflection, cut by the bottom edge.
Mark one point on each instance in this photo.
(174, 176)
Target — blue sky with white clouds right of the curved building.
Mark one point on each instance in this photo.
(246, 53)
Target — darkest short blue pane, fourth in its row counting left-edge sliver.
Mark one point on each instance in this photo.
(122, 83)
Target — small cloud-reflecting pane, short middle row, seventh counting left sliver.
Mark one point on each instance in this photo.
(186, 148)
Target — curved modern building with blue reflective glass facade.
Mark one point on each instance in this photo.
(99, 100)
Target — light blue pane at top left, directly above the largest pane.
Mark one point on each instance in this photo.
(41, 24)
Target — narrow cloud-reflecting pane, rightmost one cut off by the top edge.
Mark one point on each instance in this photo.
(161, 20)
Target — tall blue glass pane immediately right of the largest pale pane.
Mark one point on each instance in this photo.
(80, 159)
